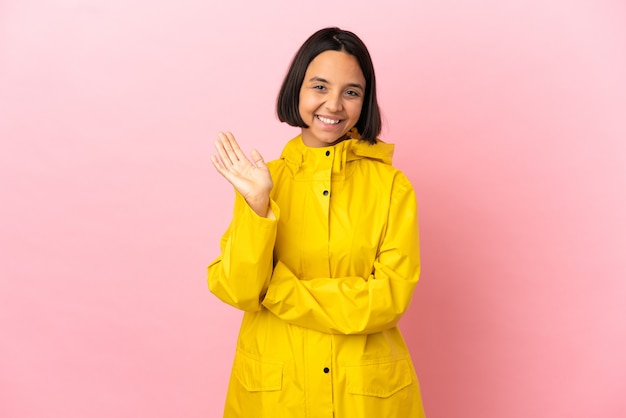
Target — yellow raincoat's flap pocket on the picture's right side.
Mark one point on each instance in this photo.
(381, 378)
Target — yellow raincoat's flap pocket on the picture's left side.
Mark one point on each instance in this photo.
(257, 374)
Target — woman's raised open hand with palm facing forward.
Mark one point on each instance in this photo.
(250, 177)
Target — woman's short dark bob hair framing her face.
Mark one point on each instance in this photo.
(335, 39)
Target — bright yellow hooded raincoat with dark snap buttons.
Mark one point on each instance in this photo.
(323, 282)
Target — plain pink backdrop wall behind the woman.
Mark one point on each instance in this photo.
(509, 118)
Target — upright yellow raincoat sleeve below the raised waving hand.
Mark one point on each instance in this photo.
(240, 275)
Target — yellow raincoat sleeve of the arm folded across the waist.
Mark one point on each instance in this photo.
(357, 305)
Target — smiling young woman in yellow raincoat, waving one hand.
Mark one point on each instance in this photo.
(322, 252)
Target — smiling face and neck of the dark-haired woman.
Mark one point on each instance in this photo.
(331, 98)
